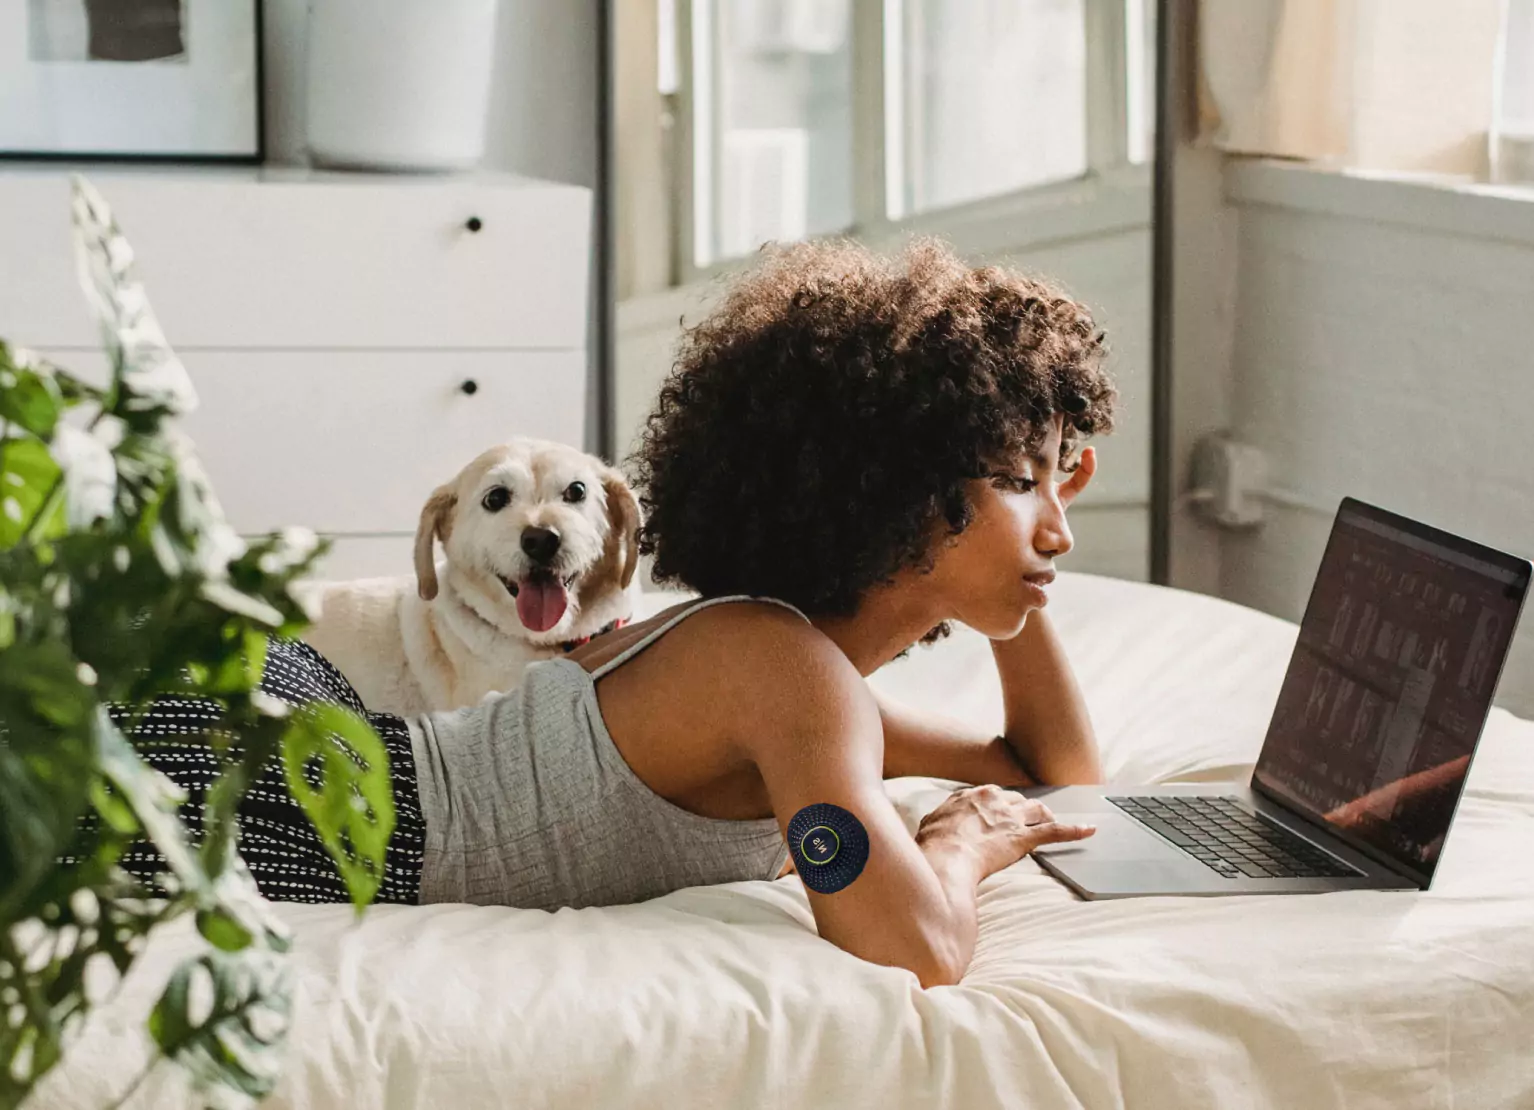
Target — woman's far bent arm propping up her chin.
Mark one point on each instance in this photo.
(1048, 734)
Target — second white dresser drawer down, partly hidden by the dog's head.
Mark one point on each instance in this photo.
(349, 442)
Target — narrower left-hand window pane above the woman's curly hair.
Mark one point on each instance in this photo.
(772, 123)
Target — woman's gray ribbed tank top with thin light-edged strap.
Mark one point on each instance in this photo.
(528, 803)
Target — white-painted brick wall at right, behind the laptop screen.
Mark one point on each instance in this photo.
(1383, 350)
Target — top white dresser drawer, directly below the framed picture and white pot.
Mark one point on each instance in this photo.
(260, 260)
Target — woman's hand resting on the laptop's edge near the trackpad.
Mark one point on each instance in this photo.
(995, 827)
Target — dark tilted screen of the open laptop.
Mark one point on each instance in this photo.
(1391, 683)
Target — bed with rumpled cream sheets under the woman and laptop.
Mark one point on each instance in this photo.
(725, 997)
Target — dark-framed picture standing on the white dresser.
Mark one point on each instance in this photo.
(166, 80)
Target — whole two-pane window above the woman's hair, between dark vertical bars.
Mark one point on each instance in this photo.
(809, 117)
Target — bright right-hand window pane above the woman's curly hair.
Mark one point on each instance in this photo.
(995, 97)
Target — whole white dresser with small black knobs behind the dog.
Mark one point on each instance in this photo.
(354, 340)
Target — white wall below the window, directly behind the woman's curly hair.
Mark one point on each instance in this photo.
(1093, 238)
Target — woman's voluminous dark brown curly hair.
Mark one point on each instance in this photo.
(821, 422)
